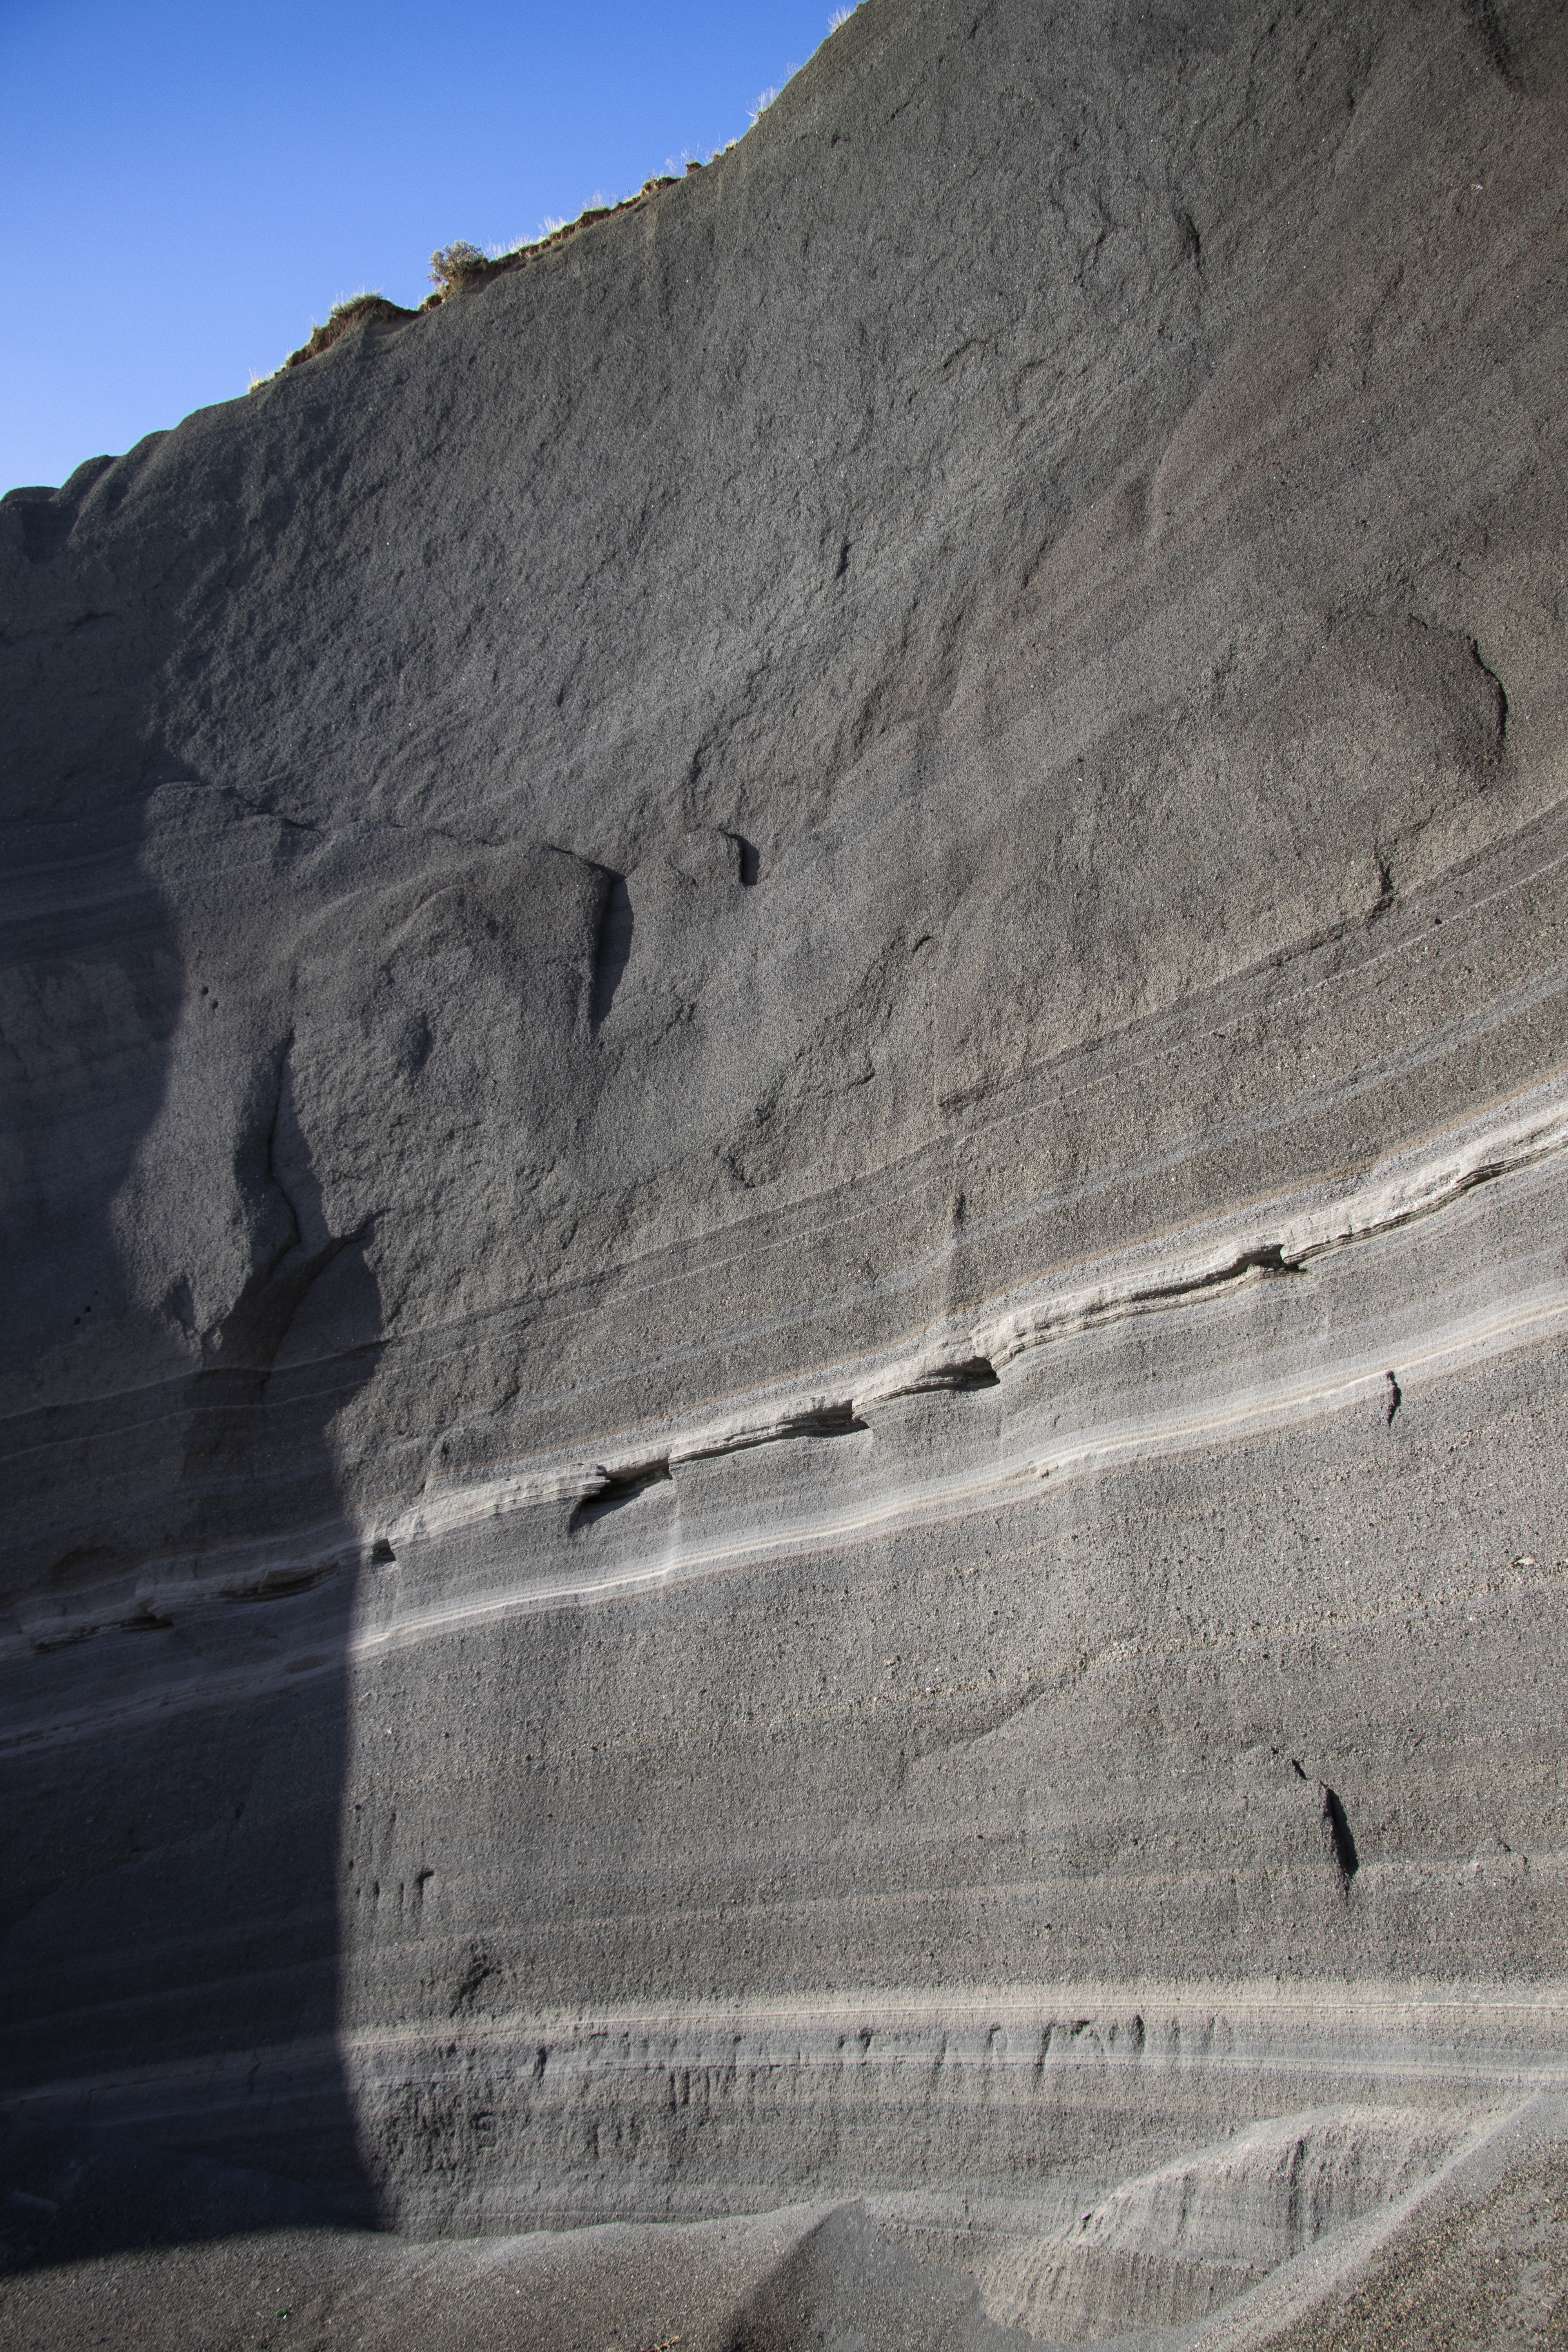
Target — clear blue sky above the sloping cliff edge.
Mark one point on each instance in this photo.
(187, 189)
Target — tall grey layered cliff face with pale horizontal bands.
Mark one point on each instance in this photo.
(786, 1191)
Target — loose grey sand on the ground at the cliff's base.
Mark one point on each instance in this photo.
(1475, 2259)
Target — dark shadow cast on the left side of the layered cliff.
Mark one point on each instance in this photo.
(175, 1739)
